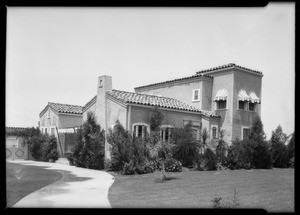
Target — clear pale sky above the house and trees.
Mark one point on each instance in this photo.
(56, 54)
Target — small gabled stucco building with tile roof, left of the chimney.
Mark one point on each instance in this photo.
(56, 117)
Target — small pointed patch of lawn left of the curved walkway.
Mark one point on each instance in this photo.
(22, 180)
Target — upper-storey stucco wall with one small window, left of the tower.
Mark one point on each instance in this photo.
(183, 91)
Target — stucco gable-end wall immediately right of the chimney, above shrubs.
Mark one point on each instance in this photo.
(115, 112)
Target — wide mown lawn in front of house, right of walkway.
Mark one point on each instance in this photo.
(272, 190)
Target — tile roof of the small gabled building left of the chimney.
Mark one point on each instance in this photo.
(63, 108)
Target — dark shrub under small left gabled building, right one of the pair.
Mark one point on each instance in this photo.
(49, 149)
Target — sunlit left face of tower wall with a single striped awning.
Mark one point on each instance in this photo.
(224, 80)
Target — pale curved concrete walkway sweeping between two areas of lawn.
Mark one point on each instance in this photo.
(78, 188)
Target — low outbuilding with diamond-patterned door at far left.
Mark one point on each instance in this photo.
(16, 148)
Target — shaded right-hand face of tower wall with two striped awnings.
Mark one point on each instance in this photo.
(243, 118)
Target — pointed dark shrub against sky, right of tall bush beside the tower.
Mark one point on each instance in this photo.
(279, 151)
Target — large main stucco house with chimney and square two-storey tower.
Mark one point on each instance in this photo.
(227, 97)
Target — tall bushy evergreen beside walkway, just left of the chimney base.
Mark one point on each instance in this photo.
(89, 149)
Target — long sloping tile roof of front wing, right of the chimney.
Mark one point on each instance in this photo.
(165, 102)
